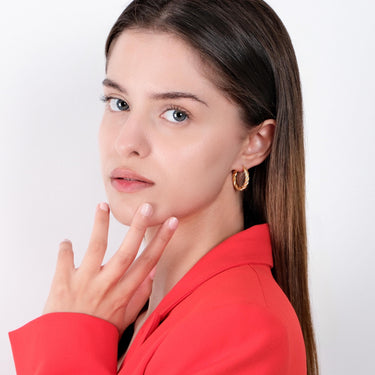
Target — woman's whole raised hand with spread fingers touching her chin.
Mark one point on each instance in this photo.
(118, 290)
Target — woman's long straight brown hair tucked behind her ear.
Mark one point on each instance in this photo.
(247, 46)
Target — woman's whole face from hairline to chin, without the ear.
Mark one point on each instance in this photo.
(168, 136)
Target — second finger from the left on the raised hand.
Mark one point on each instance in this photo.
(98, 240)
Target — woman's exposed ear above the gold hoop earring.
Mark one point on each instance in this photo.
(257, 145)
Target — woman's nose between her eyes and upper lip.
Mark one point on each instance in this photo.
(132, 140)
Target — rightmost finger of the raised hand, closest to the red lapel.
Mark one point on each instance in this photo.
(145, 263)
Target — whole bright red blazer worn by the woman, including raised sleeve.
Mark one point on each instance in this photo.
(226, 316)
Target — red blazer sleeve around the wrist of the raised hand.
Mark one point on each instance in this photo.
(65, 343)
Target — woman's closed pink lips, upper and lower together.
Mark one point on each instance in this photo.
(127, 181)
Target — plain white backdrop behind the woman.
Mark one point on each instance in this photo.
(52, 65)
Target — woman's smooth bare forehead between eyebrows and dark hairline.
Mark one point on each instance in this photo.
(158, 58)
